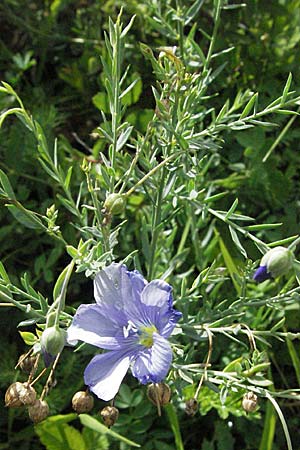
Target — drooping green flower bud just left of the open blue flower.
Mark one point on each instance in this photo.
(53, 340)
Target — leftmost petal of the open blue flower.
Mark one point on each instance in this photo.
(91, 326)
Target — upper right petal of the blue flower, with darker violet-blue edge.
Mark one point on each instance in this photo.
(157, 301)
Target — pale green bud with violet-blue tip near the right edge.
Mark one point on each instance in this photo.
(276, 262)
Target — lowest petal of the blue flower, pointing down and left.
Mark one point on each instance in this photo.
(105, 373)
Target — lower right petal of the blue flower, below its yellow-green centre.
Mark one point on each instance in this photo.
(153, 364)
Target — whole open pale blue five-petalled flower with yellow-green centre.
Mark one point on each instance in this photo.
(132, 319)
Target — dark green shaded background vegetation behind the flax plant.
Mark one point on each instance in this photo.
(50, 54)
